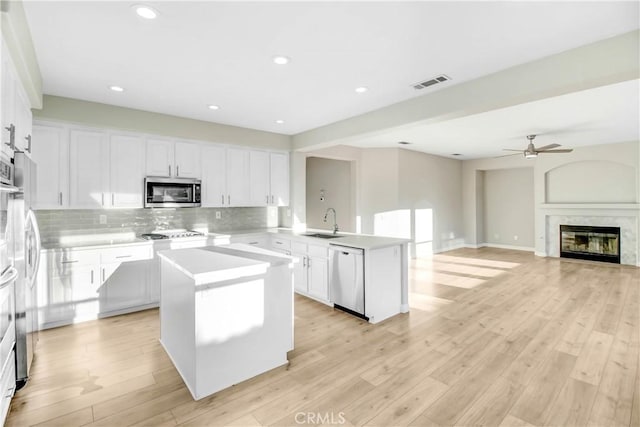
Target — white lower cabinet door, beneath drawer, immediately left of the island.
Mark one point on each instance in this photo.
(125, 285)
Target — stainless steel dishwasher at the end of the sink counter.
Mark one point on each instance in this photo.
(346, 267)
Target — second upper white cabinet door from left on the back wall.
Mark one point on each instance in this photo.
(88, 169)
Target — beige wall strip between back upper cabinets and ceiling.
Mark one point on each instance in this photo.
(113, 117)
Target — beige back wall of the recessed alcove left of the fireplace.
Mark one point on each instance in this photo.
(508, 208)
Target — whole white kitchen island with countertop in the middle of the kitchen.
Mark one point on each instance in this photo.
(226, 313)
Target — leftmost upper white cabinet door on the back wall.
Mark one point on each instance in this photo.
(50, 151)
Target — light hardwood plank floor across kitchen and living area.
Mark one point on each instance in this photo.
(494, 337)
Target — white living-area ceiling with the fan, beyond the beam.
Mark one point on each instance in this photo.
(603, 115)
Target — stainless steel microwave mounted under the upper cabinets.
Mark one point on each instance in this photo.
(162, 192)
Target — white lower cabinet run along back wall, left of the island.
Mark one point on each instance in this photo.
(82, 284)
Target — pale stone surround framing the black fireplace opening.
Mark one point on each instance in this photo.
(627, 221)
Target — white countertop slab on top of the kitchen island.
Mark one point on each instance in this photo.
(212, 264)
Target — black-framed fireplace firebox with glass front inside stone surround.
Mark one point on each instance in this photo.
(590, 243)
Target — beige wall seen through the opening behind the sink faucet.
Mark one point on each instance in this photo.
(333, 179)
